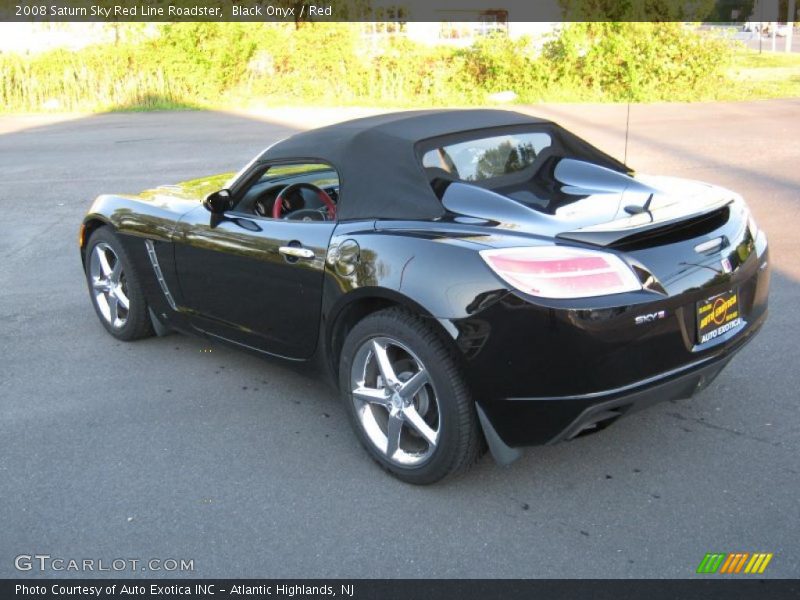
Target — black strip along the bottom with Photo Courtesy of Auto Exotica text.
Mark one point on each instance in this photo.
(709, 588)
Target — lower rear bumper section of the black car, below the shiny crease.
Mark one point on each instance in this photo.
(517, 422)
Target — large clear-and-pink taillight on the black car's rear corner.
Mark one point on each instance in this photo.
(562, 272)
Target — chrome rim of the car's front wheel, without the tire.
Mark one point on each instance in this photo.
(109, 285)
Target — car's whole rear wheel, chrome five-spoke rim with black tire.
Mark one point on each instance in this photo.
(407, 399)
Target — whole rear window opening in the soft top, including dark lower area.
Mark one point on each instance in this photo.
(516, 162)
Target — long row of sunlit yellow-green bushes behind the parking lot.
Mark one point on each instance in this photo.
(213, 64)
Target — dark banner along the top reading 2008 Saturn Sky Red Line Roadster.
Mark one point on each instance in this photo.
(300, 11)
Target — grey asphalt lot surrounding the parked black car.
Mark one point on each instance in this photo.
(162, 449)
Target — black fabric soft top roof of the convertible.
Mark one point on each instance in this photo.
(380, 173)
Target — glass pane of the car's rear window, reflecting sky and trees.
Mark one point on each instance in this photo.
(489, 157)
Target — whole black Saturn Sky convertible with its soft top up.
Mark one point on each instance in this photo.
(467, 278)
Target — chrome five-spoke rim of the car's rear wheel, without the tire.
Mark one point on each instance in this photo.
(395, 401)
